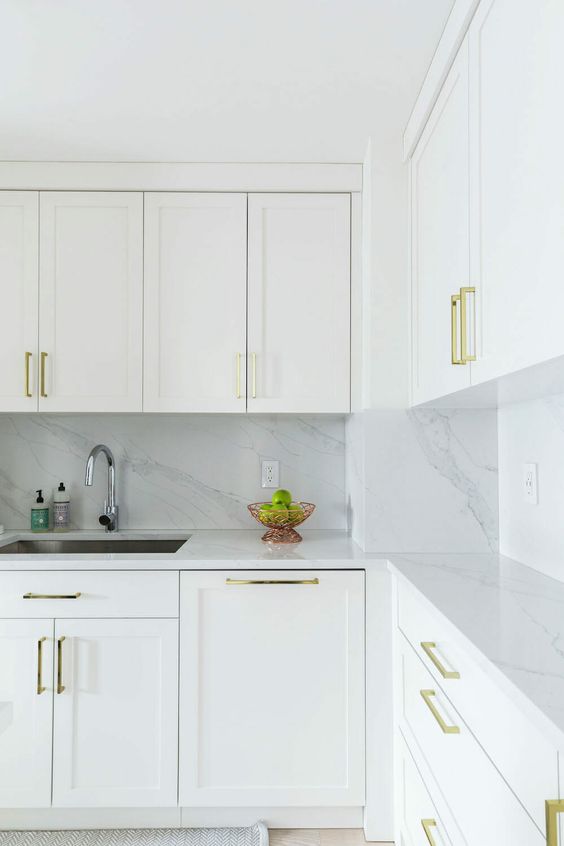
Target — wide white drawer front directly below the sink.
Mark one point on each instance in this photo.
(77, 594)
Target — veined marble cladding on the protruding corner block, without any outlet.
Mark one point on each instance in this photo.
(423, 480)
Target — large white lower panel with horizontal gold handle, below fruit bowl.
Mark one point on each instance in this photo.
(272, 689)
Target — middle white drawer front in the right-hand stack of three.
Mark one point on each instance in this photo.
(486, 810)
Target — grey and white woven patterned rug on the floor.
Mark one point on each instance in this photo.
(255, 835)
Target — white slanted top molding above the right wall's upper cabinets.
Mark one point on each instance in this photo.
(452, 37)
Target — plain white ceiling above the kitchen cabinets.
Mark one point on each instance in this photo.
(205, 80)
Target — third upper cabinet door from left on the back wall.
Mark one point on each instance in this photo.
(195, 302)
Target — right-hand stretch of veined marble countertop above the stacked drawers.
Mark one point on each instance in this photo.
(512, 620)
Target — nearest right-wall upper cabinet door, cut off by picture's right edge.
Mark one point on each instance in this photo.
(517, 66)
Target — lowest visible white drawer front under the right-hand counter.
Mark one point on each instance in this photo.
(417, 814)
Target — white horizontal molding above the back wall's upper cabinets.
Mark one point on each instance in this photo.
(179, 176)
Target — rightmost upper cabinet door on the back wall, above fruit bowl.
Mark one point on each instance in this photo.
(299, 303)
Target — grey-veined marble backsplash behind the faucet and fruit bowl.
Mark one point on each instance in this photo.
(173, 471)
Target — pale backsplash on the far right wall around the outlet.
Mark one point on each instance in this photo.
(533, 432)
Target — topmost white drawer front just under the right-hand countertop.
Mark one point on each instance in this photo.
(501, 728)
